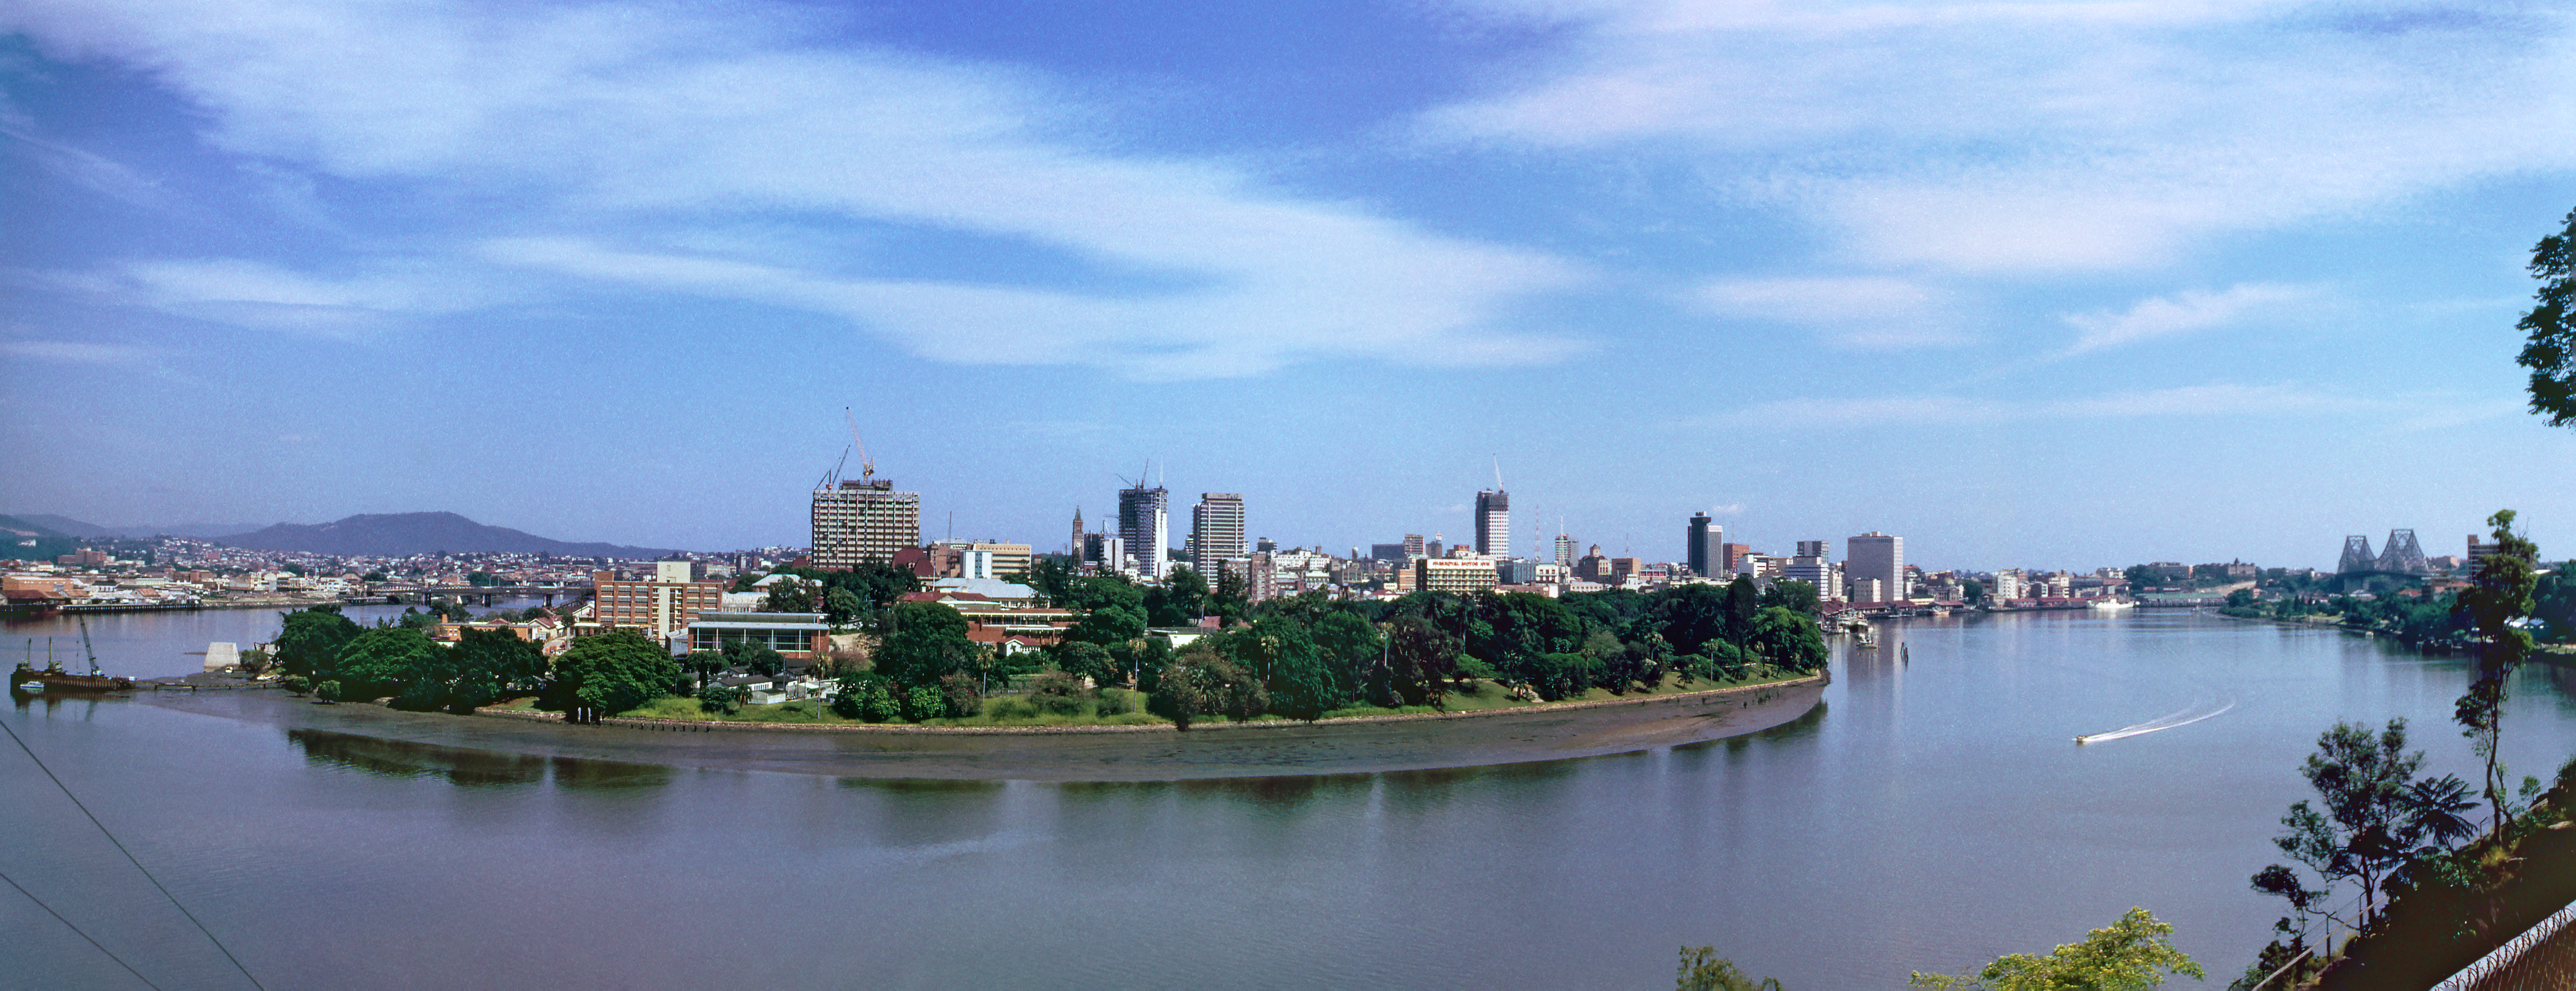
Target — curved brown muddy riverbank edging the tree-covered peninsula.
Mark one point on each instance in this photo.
(1068, 753)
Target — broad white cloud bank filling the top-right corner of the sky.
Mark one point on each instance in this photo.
(2029, 138)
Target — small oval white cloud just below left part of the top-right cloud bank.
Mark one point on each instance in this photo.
(1864, 313)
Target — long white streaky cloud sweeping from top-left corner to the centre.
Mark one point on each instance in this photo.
(607, 135)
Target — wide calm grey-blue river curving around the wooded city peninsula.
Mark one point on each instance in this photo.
(1928, 817)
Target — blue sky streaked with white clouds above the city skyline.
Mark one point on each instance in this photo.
(2031, 284)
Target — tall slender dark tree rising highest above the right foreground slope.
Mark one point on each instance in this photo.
(2495, 598)
